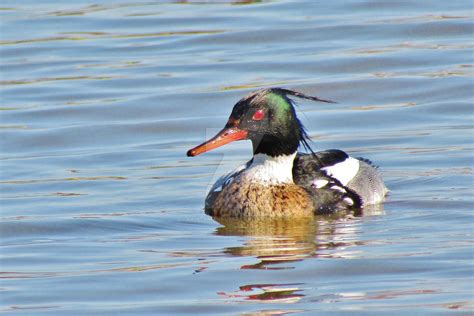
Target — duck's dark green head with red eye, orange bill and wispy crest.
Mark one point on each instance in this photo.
(267, 117)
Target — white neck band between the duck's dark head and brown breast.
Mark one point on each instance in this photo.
(268, 170)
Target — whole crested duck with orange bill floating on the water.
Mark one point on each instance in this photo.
(279, 181)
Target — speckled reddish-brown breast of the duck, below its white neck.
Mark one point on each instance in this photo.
(248, 199)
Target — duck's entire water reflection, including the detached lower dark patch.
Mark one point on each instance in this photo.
(279, 243)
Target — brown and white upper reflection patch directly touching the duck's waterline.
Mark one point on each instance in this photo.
(287, 240)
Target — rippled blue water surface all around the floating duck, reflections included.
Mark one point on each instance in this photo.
(102, 212)
